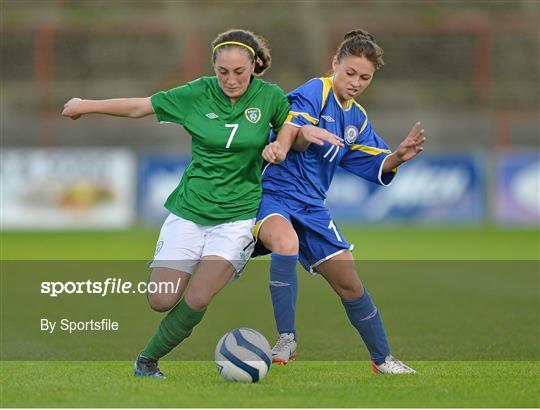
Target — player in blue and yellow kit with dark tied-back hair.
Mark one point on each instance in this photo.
(293, 222)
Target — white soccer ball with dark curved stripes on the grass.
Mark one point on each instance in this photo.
(243, 355)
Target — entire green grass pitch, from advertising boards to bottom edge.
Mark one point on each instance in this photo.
(470, 328)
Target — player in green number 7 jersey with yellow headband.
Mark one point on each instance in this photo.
(213, 209)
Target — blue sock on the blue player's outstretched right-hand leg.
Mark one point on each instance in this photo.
(365, 317)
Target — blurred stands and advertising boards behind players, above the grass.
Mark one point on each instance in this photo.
(469, 70)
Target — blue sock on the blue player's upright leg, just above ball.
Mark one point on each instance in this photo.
(283, 289)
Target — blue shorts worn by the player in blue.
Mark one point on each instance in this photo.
(319, 237)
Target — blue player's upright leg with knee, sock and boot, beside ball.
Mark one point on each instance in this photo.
(279, 237)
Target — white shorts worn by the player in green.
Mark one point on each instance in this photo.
(182, 243)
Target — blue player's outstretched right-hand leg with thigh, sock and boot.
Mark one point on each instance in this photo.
(340, 273)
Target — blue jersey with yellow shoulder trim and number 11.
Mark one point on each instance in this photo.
(307, 175)
